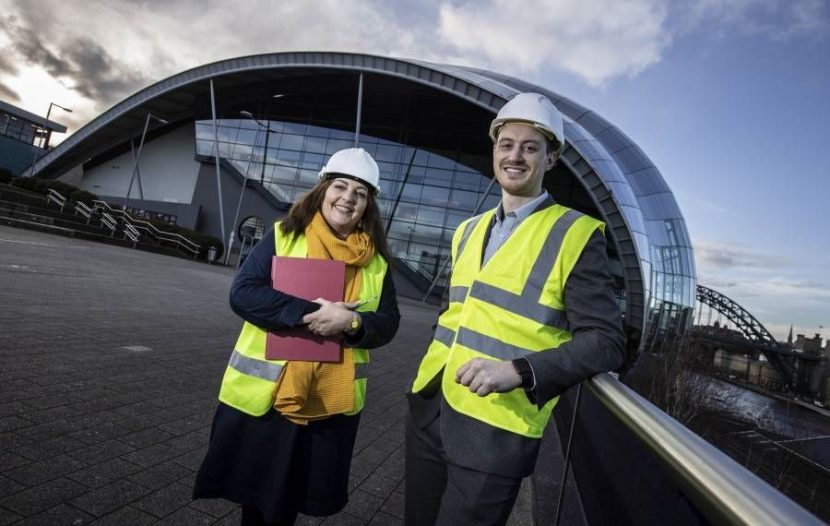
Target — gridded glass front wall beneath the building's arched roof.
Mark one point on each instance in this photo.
(429, 201)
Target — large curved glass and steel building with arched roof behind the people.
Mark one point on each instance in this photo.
(271, 121)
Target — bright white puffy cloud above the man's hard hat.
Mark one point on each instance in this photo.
(592, 39)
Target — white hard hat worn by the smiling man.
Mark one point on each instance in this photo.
(533, 109)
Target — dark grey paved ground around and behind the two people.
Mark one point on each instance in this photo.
(111, 361)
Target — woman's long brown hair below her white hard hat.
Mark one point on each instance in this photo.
(304, 208)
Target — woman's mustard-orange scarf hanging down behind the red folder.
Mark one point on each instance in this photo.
(307, 391)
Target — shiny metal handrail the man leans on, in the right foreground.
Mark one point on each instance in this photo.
(726, 491)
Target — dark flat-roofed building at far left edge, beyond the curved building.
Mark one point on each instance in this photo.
(20, 133)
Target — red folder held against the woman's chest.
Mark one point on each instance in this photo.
(308, 279)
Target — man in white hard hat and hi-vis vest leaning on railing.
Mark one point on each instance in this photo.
(531, 313)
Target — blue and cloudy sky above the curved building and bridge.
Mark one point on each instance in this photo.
(729, 99)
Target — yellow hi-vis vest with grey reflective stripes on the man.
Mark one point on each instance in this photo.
(512, 307)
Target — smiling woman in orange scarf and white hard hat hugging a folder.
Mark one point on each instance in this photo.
(283, 434)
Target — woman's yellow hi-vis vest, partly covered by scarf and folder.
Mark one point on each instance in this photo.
(250, 380)
